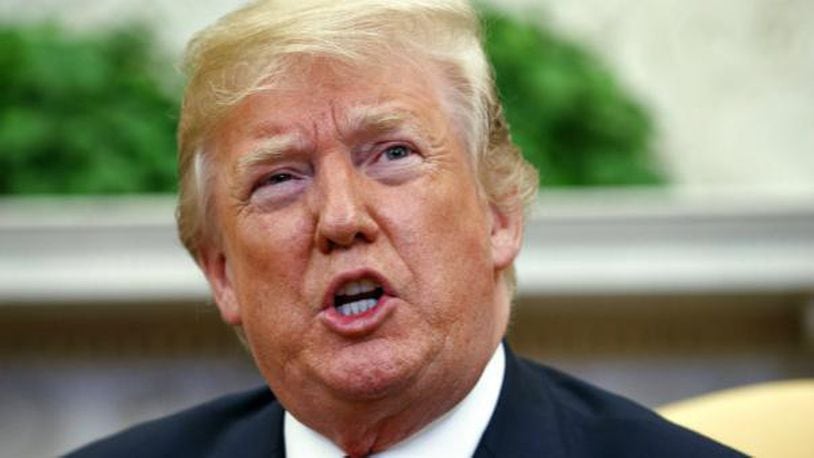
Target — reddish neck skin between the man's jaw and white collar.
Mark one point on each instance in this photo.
(361, 428)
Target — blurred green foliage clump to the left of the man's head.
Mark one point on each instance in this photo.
(84, 113)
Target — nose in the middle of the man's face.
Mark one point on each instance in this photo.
(342, 212)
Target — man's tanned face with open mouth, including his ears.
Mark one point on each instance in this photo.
(357, 252)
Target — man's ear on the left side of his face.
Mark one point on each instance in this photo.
(215, 266)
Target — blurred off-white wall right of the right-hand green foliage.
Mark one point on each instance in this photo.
(731, 82)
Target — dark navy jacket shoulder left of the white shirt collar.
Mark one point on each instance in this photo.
(203, 430)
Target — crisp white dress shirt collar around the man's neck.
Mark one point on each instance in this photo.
(455, 434)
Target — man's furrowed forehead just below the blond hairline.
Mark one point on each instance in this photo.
(320, 91)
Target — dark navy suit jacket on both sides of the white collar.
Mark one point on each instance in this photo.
(540, 413)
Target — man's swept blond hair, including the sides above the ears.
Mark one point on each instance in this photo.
(246, 49)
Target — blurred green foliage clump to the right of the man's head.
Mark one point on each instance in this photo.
(566, 111)
